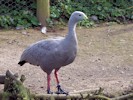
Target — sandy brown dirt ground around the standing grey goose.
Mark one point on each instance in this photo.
(105, 59)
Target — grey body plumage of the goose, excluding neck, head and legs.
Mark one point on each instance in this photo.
(50, 54)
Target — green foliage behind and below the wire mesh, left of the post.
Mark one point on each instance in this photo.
(18, 15)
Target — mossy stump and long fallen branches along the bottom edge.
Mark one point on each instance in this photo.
(15, 90)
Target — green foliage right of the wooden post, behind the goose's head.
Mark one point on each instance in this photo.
(105, 10)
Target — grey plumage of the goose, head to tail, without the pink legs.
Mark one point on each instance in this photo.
(56, 52)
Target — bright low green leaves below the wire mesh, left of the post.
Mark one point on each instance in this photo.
(22, 18)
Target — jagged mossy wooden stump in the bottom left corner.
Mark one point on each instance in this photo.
(14, 88)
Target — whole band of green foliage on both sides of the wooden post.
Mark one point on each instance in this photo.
(22, 12)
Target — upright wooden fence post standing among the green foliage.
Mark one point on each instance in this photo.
(43, 11)
